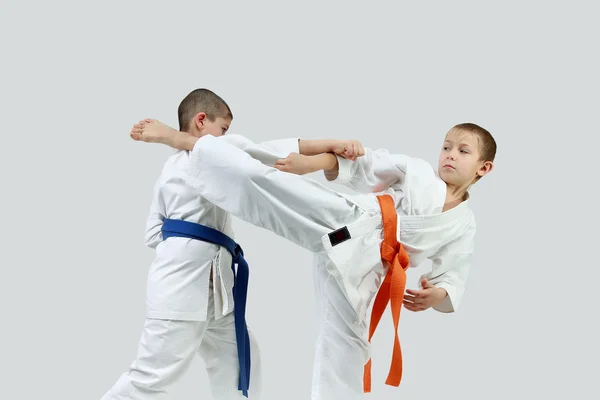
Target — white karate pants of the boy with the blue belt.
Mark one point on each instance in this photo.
(167, 348)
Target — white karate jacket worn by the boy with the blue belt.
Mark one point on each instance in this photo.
(178, 279)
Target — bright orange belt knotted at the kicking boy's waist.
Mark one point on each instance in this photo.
(391, 290)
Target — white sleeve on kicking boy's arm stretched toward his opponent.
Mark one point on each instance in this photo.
(376, 171)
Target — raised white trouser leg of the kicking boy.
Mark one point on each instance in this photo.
(288, 205)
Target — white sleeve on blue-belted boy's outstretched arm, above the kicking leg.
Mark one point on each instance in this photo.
(267, 152)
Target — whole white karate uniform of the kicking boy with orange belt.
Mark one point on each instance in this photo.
(347, 275)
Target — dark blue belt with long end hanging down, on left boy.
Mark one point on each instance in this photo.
(192, 230)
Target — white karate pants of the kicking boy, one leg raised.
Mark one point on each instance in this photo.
(302, 211)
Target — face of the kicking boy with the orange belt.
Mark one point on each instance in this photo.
(459, 162)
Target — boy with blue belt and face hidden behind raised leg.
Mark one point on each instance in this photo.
(195, 300)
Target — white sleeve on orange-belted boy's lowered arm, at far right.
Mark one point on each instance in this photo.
(450, 269)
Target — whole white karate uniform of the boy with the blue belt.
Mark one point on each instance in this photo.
(186, 311)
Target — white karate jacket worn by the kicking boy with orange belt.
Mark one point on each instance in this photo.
(446, 238)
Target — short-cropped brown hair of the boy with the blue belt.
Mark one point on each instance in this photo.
(201, 100)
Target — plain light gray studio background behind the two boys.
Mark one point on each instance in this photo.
(76, 190)
